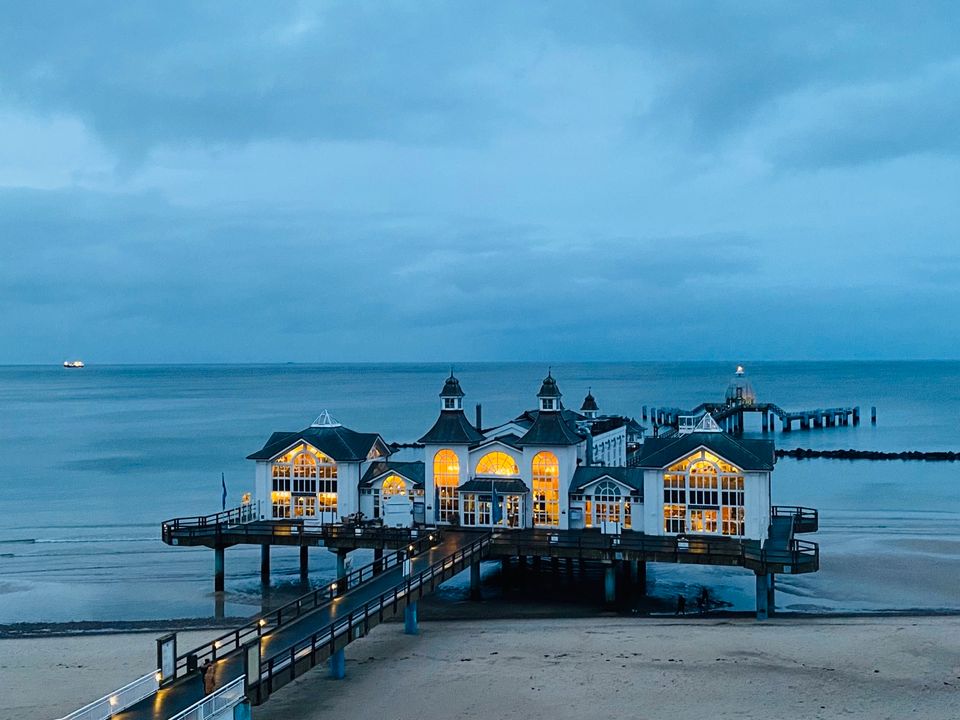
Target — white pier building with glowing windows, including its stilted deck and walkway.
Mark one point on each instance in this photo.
(572, 487)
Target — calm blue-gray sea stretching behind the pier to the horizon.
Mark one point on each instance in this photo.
(94, 459)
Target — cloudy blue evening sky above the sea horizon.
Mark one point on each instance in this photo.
(442, 181)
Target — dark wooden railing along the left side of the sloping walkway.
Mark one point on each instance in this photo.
(285, 614)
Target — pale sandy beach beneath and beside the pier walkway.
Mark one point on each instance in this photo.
(861, 667)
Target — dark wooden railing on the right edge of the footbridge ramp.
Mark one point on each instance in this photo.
(281, 668)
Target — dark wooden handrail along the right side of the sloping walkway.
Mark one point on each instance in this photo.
(329, 634)
